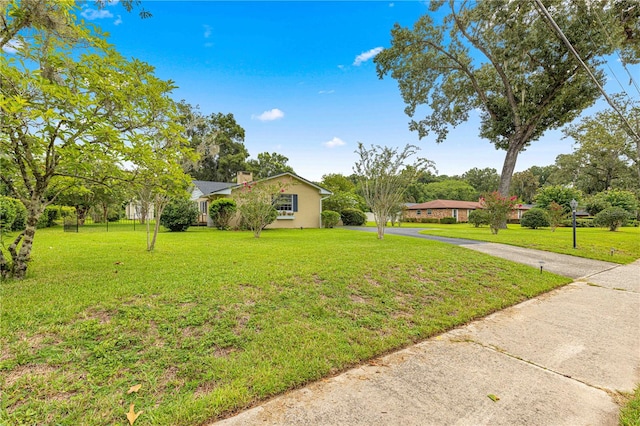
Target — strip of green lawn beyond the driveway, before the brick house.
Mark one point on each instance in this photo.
(592, 243)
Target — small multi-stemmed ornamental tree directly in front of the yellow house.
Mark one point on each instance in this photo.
(256, 204)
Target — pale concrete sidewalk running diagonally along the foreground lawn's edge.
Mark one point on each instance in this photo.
(558, 359)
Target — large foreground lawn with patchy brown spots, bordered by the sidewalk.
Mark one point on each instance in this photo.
(212, 321)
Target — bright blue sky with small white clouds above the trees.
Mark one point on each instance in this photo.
(299, 78)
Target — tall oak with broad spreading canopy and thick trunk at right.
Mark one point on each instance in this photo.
(503, 59)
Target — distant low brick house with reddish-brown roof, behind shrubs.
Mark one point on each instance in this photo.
(437, 209)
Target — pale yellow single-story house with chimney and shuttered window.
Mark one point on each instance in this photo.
(299, 206)
